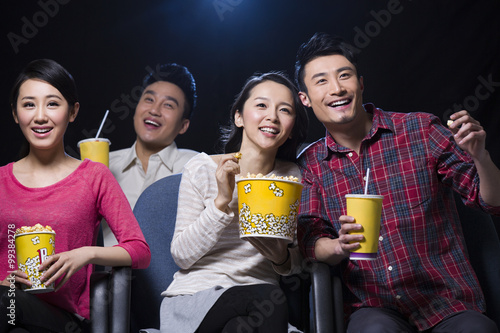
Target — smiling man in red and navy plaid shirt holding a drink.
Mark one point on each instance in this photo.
(422, 279)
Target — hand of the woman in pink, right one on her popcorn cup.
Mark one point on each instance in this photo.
(63, 264)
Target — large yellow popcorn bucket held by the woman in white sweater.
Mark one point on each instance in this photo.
(268, 207)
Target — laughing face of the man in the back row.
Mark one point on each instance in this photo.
(158, 115)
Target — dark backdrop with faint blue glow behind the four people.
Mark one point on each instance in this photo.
(433, 56)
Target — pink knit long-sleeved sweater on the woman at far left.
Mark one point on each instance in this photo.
(73, 207)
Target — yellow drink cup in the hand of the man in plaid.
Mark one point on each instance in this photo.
(366, 210)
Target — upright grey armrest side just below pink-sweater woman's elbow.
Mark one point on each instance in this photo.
(120, 287)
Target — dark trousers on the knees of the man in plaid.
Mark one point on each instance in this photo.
(374, 320)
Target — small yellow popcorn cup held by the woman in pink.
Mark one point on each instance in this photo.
(32, 248)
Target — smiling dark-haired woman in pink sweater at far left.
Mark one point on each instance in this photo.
(49, 187)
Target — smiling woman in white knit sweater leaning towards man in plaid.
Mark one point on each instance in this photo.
(227, 284)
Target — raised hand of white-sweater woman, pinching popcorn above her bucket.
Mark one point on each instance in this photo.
(227, 169)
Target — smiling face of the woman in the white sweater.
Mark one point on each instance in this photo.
(267, 118)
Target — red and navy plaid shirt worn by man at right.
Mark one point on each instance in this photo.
(422, 269)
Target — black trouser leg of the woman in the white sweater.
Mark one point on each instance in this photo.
(245, 309)
